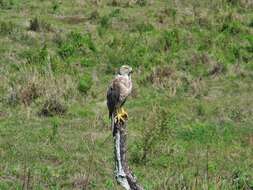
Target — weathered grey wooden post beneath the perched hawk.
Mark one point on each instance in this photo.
(123, 174)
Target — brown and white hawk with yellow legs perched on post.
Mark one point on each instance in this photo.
(118, 91)
